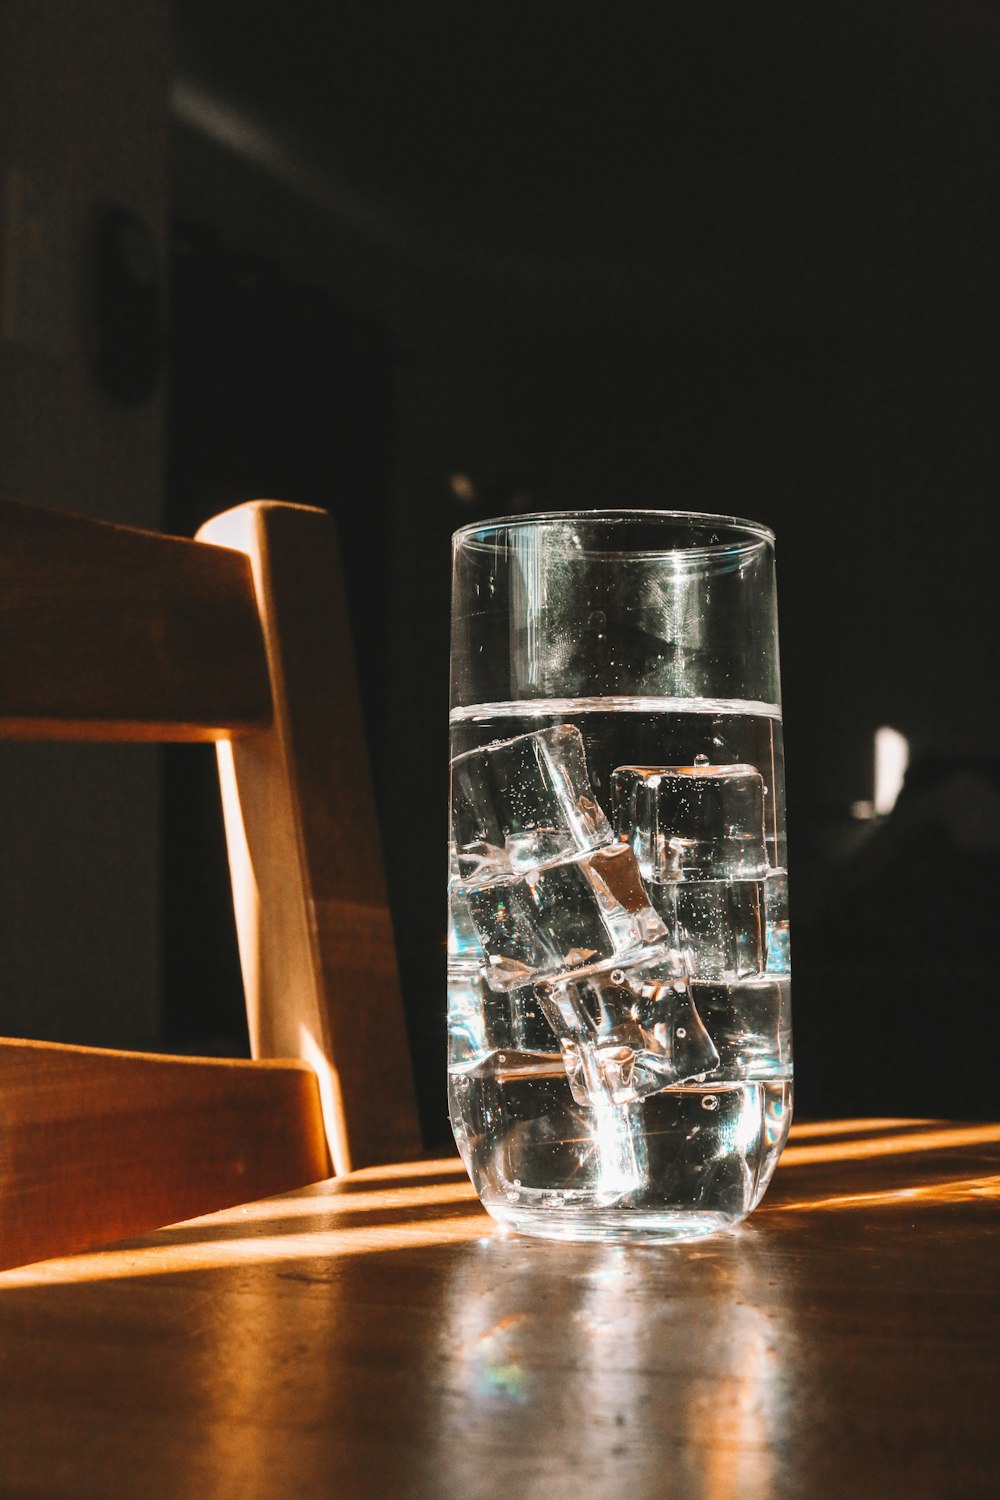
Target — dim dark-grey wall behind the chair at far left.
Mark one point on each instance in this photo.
(83, 130)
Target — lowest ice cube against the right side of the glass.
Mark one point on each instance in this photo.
(750, 1024)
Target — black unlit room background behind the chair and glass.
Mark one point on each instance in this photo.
(433, 263)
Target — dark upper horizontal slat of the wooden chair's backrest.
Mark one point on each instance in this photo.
(115, 634)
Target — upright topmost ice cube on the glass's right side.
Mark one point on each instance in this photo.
(693, 823)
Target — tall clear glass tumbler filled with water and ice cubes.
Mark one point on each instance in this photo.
(620, 1042)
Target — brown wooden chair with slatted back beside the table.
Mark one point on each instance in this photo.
(242, 638)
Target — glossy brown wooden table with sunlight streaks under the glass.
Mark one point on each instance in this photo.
(377, 1336)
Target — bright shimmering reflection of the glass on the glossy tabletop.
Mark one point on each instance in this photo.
(627, 1367)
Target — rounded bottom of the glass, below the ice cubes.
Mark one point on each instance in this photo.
(677, 1166)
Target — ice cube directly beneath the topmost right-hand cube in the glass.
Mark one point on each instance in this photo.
(716, 923)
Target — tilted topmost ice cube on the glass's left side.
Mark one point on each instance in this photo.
(524, 803)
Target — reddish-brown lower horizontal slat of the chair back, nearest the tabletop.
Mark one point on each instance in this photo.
(100, 1144)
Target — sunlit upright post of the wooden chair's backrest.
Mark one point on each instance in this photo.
(313, 911)
